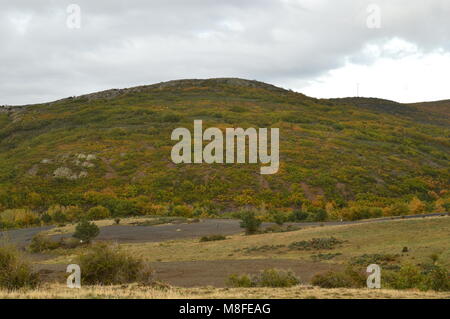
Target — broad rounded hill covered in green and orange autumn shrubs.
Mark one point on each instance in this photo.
(352, 157)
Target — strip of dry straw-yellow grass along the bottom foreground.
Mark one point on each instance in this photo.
(55, 291)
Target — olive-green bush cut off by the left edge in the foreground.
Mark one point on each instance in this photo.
(15, 272)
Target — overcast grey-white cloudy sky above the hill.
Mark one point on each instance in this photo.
(397, 50)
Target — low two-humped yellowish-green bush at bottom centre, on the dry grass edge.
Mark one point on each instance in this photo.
(267, 278)
